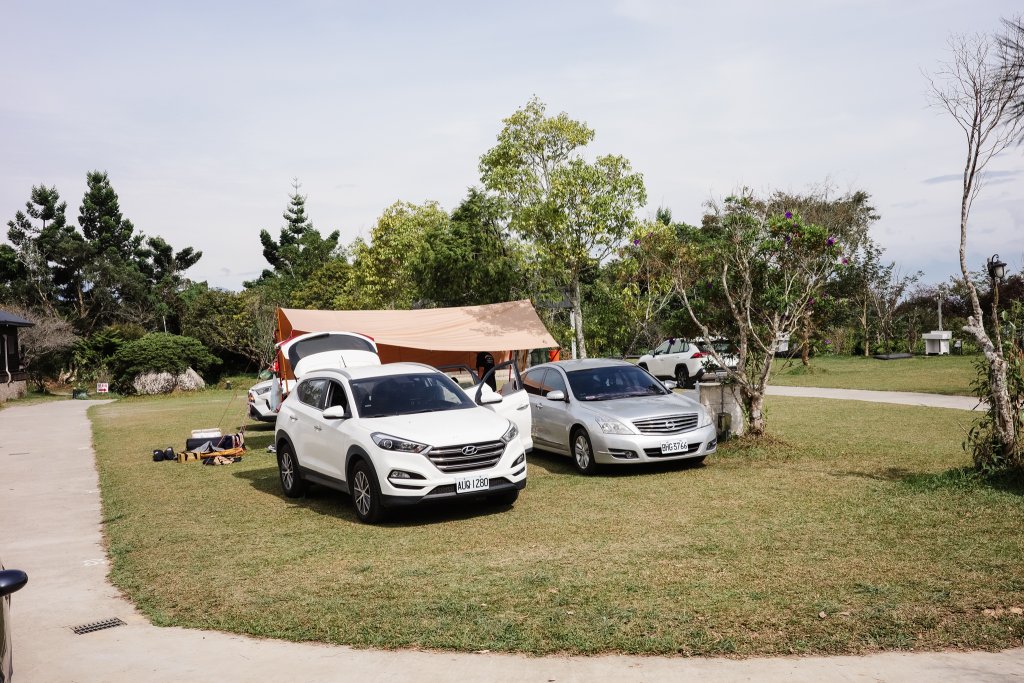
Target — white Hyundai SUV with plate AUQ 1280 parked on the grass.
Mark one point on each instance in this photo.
(398, 435)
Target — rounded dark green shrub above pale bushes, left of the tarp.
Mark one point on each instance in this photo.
(159, 353)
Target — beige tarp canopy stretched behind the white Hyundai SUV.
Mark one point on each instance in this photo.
(435, 336)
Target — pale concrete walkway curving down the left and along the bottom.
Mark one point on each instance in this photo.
(51, 528)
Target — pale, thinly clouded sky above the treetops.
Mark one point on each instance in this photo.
(204, 113)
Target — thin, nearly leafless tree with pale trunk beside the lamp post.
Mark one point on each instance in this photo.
(979, 92)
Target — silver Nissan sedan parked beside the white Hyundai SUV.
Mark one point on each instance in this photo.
(611, 412)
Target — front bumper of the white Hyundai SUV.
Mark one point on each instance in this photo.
(507, 476)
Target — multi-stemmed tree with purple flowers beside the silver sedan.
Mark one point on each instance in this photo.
(754, 274)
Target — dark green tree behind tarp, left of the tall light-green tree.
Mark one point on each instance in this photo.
(470, 260)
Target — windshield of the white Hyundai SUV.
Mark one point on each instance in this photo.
(407, 395)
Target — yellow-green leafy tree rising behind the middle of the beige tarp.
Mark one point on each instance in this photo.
(382, 271)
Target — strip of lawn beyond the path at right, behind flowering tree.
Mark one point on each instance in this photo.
(946, 374)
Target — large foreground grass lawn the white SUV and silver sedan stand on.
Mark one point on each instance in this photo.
(856, 530)
